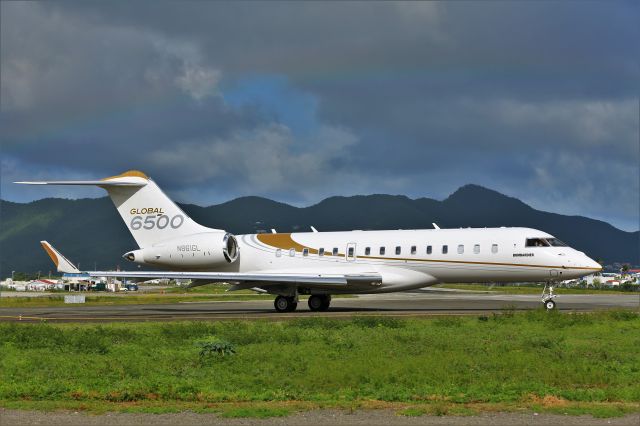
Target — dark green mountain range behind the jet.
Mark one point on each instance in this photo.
(90, 230)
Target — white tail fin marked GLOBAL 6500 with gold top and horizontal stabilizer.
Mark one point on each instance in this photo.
(149, 214)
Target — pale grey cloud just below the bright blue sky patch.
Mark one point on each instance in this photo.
(267, 159)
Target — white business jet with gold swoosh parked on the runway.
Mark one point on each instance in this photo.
(321, 264)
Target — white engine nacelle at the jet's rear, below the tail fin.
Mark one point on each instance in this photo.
(198, 251)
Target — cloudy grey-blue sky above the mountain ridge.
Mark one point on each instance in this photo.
(301, 101)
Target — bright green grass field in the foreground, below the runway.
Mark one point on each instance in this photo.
(573, 363)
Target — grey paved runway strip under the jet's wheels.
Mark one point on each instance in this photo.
(419, 303)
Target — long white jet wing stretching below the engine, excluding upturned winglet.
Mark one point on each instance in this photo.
(256, 279)
